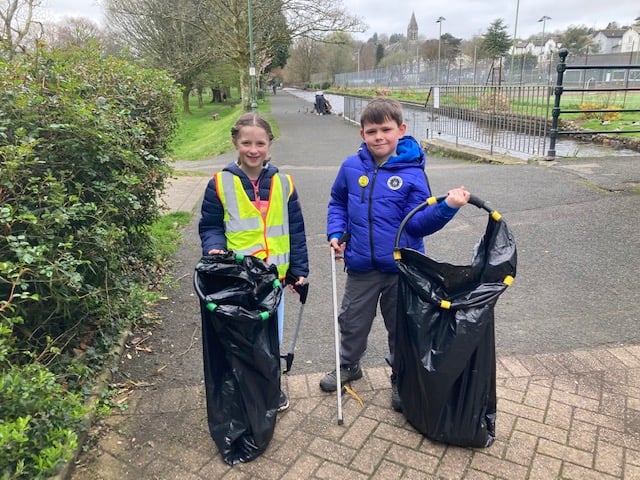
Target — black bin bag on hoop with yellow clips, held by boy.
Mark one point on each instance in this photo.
(445, 346)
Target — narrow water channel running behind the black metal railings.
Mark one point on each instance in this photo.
(419, 126)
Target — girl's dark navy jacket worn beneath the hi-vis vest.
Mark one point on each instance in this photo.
(211, 226)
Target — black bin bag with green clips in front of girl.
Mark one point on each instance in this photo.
(239, 297)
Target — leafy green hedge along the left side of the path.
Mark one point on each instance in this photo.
(82, 145)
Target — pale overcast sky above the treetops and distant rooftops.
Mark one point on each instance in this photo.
(464, 18)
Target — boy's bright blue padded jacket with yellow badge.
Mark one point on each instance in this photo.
(370, 202)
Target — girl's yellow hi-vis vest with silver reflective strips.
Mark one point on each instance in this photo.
(246, 230)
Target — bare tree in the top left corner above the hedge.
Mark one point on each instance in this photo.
(17, 18)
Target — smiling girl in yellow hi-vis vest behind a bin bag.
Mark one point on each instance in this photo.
(251, 208)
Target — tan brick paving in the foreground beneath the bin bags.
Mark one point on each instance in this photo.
(572, 415)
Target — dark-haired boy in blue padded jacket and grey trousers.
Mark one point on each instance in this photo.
(371, 195)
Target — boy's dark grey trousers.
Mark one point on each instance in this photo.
(362, 293)
